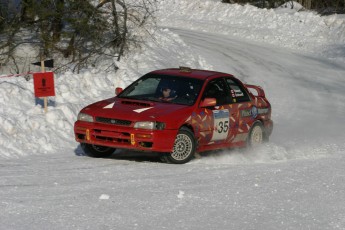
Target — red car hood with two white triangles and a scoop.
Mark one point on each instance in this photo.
(135, 110)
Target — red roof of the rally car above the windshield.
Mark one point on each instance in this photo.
(188, 72)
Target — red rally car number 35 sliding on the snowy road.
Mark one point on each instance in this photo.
(176, 112)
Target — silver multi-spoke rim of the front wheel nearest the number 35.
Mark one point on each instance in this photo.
(182, 148)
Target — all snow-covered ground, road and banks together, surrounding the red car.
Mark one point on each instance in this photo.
(296, 181)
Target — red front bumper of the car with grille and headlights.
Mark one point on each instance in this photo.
(125, 137)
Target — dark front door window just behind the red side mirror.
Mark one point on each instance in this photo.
(217, 89)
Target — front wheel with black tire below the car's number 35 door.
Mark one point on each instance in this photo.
(184, 148)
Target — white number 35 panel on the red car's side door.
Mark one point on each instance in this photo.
(221, 124)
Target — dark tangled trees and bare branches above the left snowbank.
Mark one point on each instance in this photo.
(76, 33)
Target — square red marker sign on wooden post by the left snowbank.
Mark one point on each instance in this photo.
(44, 84)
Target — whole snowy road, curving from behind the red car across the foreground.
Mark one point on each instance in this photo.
(295, 182)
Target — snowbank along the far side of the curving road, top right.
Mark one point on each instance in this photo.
(303, 30)
